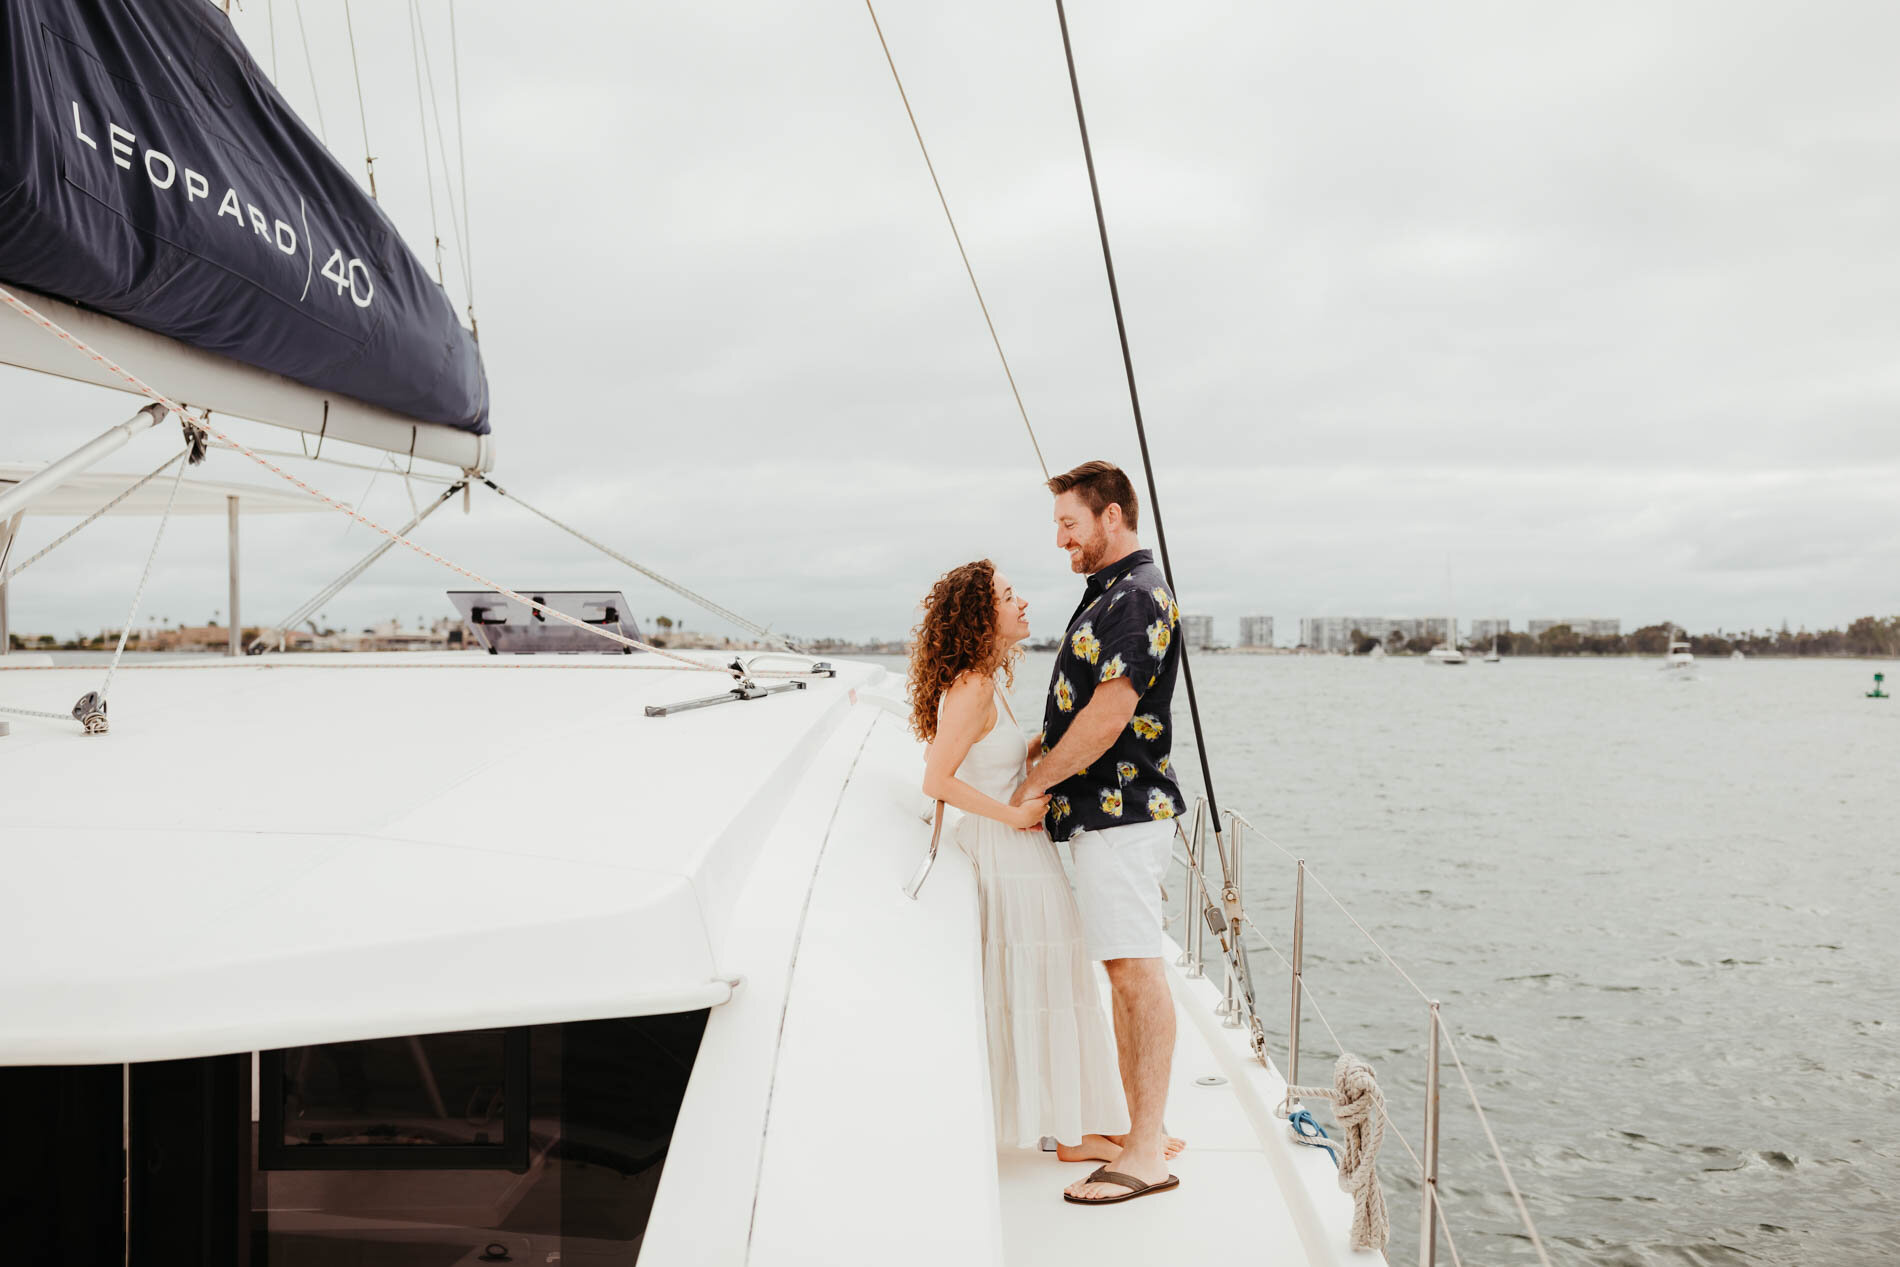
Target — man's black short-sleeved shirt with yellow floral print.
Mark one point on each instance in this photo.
(1124, 628)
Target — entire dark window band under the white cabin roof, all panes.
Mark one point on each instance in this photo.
(493, 1146)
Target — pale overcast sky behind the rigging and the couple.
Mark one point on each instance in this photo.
(1593, 307)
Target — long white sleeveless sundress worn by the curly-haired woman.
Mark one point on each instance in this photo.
(1052, 1050)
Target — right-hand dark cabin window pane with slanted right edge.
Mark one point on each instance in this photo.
(565, 1162)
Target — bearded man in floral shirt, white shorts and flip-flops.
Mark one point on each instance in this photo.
(1103, 759)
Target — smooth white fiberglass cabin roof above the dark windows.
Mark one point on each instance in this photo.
(314, 848)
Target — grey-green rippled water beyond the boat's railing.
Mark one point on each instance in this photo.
(1662, 918)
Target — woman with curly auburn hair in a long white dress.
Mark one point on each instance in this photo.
(1052, 1051)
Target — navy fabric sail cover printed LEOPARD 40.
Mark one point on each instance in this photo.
(151, 172)
